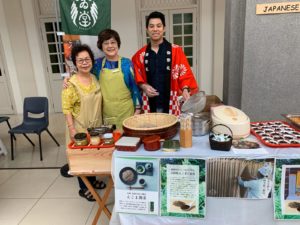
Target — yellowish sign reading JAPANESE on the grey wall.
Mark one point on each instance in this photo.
(275, 8)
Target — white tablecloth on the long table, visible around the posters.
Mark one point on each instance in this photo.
(221, 211)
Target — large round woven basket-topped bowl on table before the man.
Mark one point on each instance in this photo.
(142, 125)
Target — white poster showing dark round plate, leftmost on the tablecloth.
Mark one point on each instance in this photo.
(137, 185)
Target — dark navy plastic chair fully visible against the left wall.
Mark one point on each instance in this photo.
(35, 120)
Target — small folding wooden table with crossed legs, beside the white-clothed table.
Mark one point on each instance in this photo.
(93, 162)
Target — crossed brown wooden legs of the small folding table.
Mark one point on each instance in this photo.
(101, 201)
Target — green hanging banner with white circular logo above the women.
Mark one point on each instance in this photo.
(85, 17)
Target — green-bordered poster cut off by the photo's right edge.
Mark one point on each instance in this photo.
(287, 189)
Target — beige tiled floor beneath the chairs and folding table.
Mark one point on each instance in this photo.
(41, 196)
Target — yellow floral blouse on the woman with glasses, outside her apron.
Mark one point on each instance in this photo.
(71, 98)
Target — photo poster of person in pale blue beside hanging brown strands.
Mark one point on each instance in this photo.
(240, 177)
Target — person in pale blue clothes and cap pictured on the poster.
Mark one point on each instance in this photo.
(260, 186)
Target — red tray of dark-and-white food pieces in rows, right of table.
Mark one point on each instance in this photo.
(276, 133)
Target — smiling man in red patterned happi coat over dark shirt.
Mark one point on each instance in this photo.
(162, 70)
